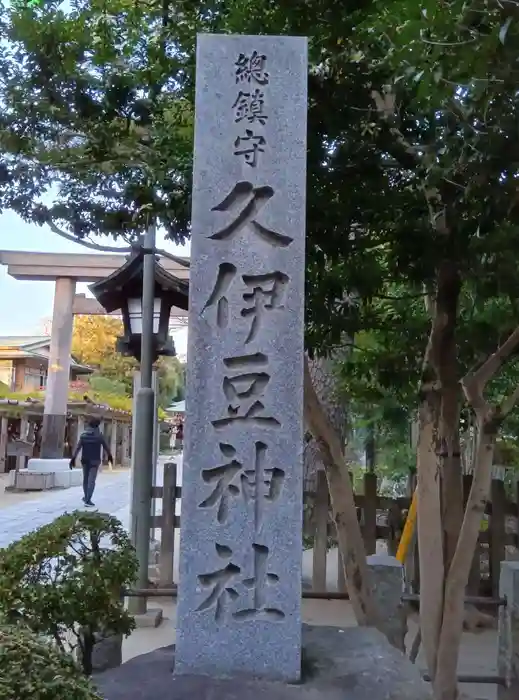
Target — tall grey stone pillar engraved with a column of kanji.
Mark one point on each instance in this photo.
(239, 604)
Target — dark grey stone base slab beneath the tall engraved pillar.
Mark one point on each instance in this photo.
(338, 664)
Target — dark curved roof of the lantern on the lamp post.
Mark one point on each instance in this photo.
(125, 283)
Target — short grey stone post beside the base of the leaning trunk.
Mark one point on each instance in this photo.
(387, 585)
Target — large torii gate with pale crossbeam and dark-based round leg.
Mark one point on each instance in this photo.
(65, 270)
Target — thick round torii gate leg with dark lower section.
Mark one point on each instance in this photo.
(56, 393)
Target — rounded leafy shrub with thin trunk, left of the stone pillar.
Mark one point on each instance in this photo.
(64, 581)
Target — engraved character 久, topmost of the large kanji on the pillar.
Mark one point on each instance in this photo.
(251, 200)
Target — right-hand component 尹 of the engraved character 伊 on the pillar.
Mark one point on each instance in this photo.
(267, 293)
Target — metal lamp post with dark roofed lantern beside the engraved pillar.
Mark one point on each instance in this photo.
(145, 293)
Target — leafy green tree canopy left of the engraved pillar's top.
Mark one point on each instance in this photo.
(106, 133)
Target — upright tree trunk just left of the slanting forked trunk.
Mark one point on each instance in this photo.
(438, 423)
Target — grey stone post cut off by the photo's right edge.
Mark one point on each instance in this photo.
(508, 631)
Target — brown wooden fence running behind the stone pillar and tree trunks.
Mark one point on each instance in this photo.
(381, 519)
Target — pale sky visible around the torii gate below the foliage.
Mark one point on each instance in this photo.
(25, 307)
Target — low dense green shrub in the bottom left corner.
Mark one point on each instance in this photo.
(31, 669)
